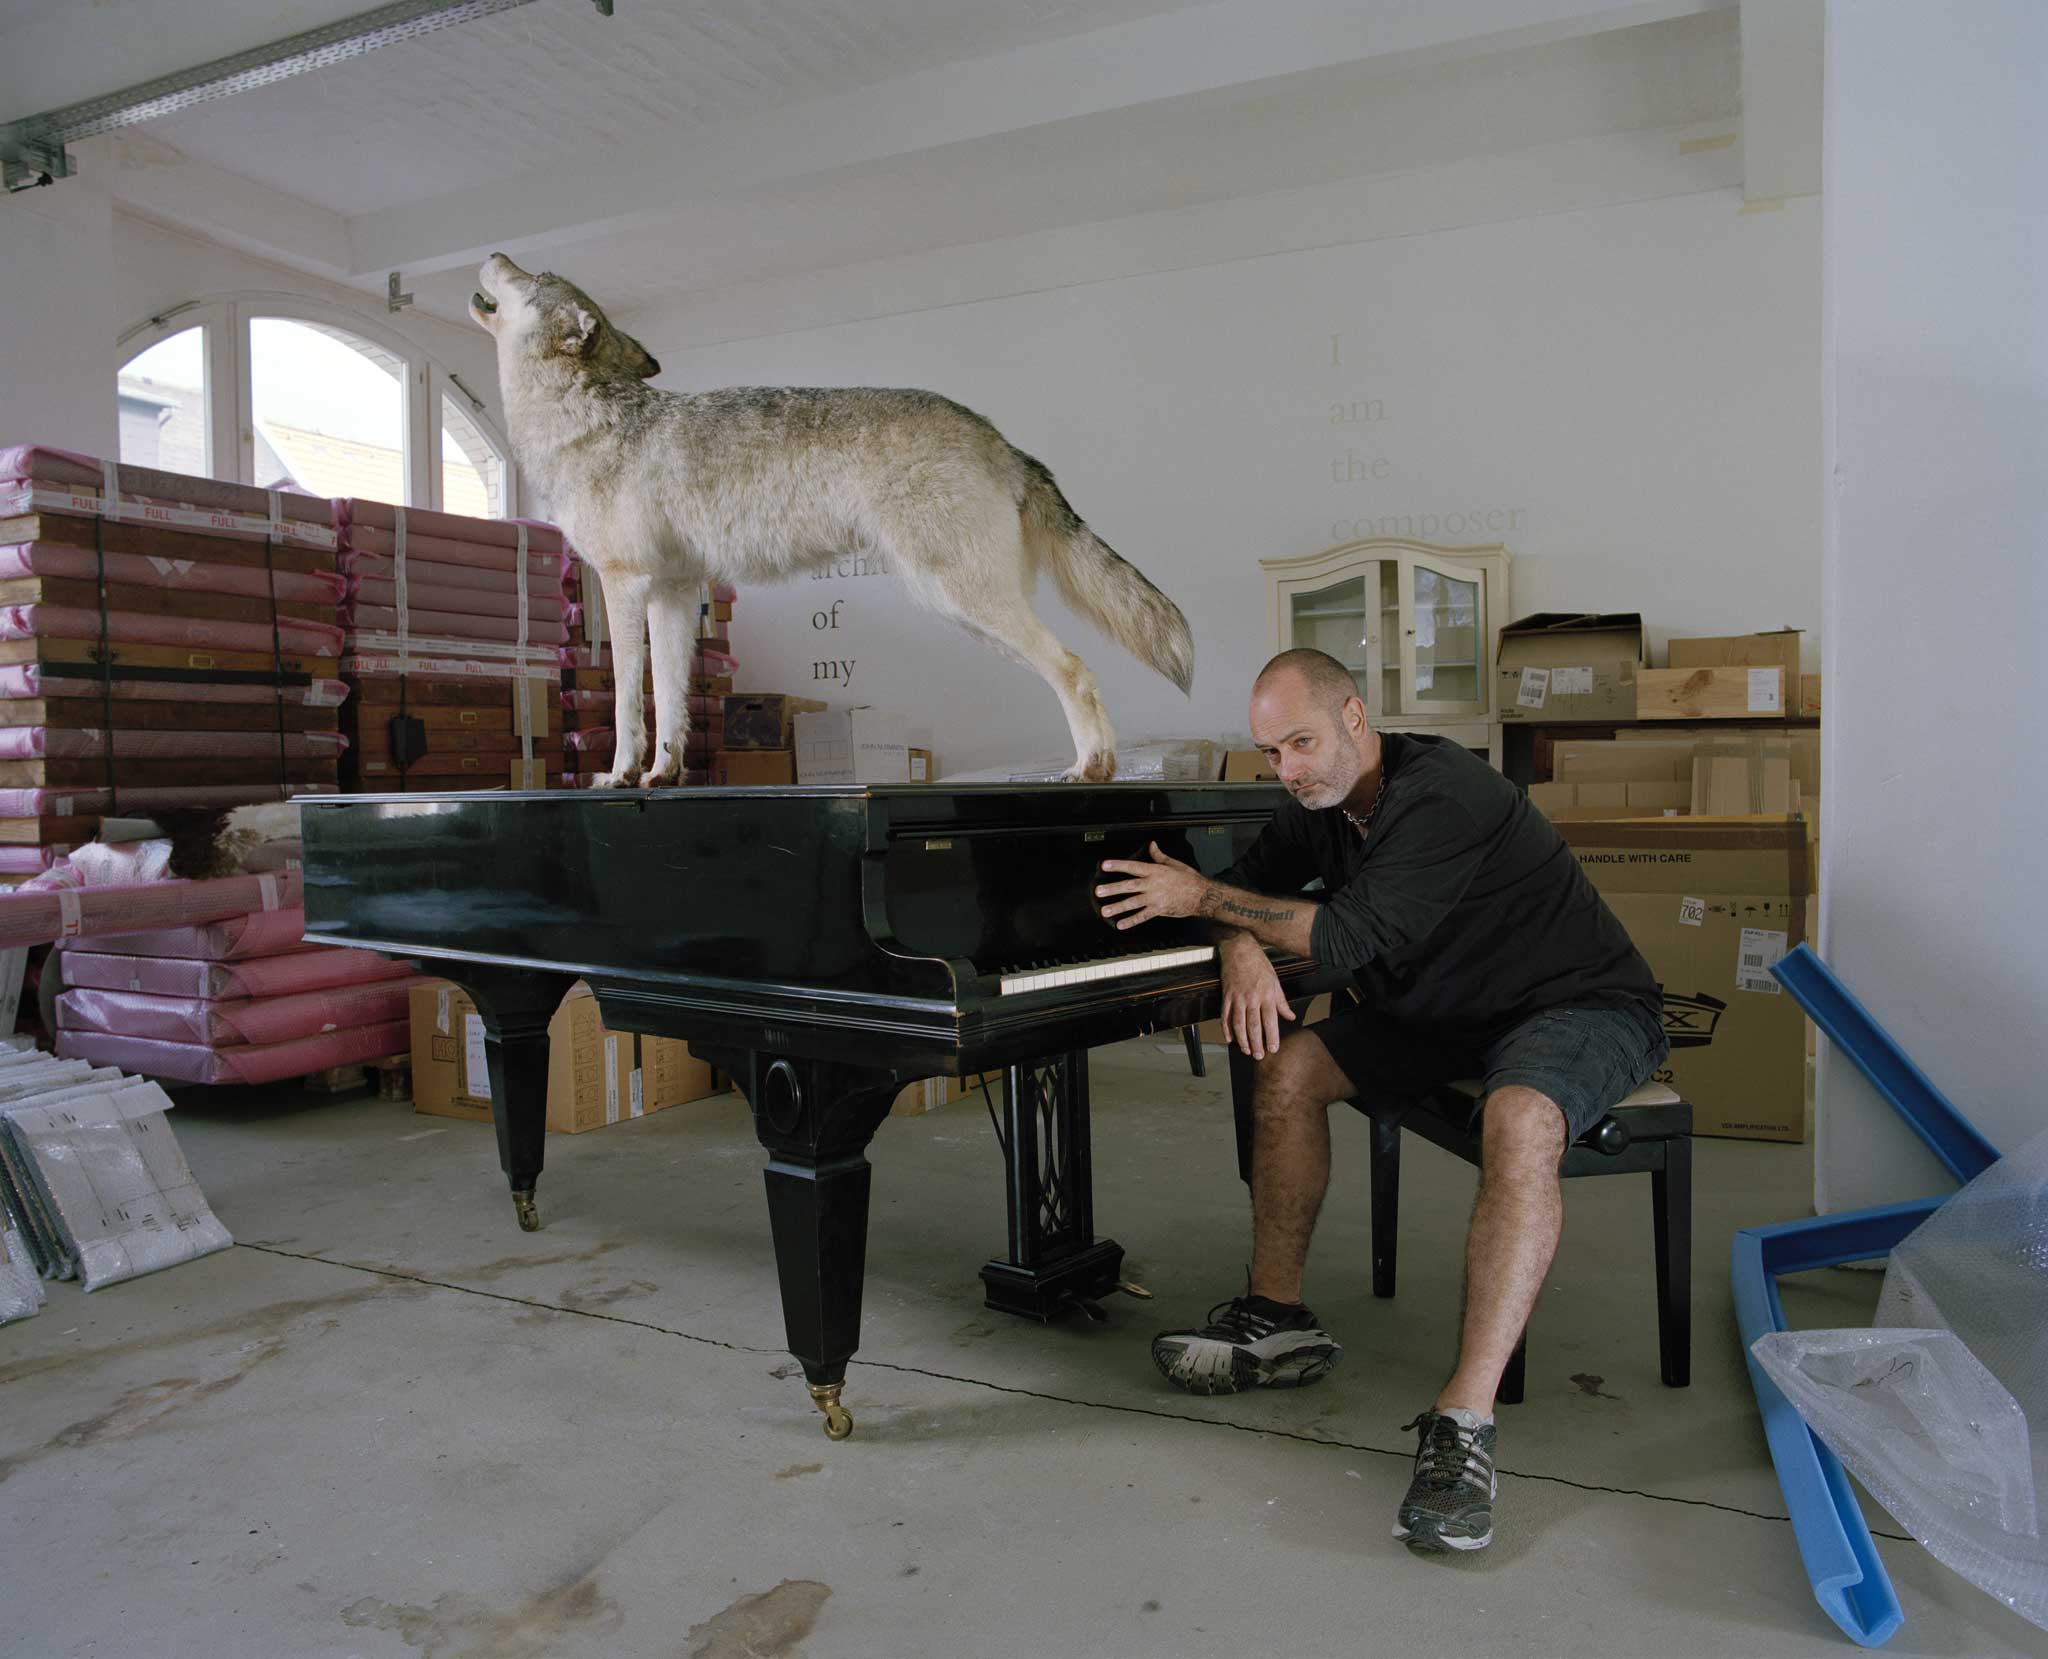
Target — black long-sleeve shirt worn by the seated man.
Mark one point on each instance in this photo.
(1461, 910)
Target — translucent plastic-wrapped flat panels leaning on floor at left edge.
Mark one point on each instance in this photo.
(110, 1193)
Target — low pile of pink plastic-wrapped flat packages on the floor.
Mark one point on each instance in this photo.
(230, 1003)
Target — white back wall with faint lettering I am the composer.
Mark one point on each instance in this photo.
(1621, 394)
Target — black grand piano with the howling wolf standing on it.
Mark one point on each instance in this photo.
(824, 947)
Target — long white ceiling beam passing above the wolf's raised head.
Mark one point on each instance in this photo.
(1213, 50)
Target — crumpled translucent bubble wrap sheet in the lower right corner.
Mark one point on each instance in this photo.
(1943, 1408)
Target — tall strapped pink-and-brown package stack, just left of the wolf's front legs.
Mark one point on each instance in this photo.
(456, 630)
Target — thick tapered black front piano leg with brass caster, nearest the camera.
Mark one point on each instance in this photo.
(816, 1121)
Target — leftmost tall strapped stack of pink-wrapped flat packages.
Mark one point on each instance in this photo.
(165, 642)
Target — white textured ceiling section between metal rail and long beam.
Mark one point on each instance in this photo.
(556, 87)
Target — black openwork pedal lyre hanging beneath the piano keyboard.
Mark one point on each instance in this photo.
(1056, 1261)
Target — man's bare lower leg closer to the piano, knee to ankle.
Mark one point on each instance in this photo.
(1291, 1101)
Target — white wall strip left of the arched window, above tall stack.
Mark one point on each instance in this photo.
(56, 280)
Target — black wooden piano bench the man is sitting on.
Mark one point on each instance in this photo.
(1650, 1134)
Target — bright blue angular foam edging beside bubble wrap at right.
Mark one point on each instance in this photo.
(1834, 1539)
